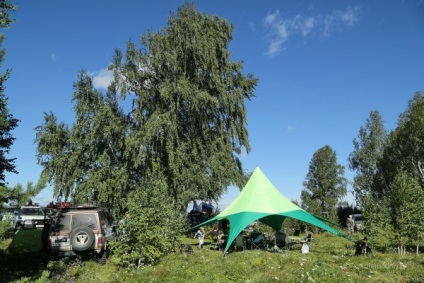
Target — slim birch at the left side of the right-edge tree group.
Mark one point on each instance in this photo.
(368, 150)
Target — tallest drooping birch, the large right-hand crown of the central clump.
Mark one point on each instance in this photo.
(189, 113)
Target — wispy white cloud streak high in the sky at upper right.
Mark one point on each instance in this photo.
(280, 30)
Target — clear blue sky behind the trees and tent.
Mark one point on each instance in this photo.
(322, 66)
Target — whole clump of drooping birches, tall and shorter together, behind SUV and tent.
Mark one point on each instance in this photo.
(187, 120)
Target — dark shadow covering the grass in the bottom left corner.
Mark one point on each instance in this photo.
(24, 257)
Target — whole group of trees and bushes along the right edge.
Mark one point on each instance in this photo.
(389, 183)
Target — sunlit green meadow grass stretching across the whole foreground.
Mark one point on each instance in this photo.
(332, 259)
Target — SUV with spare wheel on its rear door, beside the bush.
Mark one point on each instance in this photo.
(80, 231)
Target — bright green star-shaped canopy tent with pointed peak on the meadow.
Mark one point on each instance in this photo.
(260, 200)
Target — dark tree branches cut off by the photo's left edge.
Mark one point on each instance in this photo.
(7, 122)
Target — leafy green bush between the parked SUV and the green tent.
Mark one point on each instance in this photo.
(151, 227)
